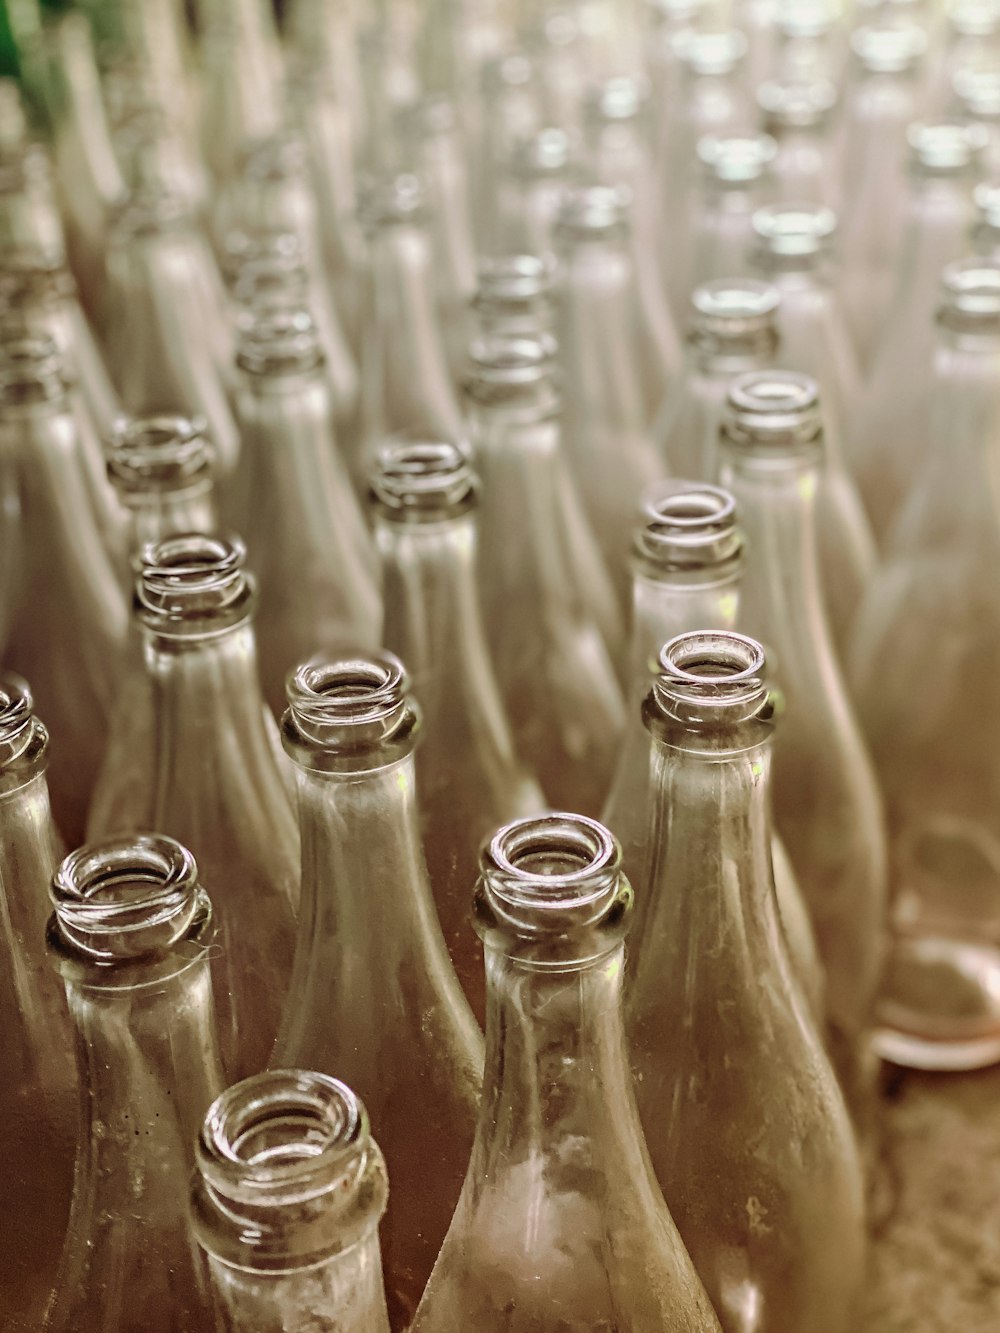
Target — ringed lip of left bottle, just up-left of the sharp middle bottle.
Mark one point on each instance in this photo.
(194, 586)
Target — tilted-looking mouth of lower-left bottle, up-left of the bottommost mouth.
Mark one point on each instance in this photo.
(127, 899)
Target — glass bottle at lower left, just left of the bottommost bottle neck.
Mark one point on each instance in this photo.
(131, 936)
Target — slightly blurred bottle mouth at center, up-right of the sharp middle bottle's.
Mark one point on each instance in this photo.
(423, 479)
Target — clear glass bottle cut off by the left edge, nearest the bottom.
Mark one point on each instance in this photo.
(38, 1095)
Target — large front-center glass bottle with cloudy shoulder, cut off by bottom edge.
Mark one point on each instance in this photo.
(561, 1223)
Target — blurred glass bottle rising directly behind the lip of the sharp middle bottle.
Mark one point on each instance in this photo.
(311, 549)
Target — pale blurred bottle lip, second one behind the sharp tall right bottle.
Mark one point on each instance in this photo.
(774, 417)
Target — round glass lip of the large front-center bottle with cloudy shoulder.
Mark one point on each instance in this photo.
(551, 891)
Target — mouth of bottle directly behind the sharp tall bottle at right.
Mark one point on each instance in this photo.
(687, 526)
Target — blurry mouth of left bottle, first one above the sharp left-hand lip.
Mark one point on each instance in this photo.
(159, 454)
